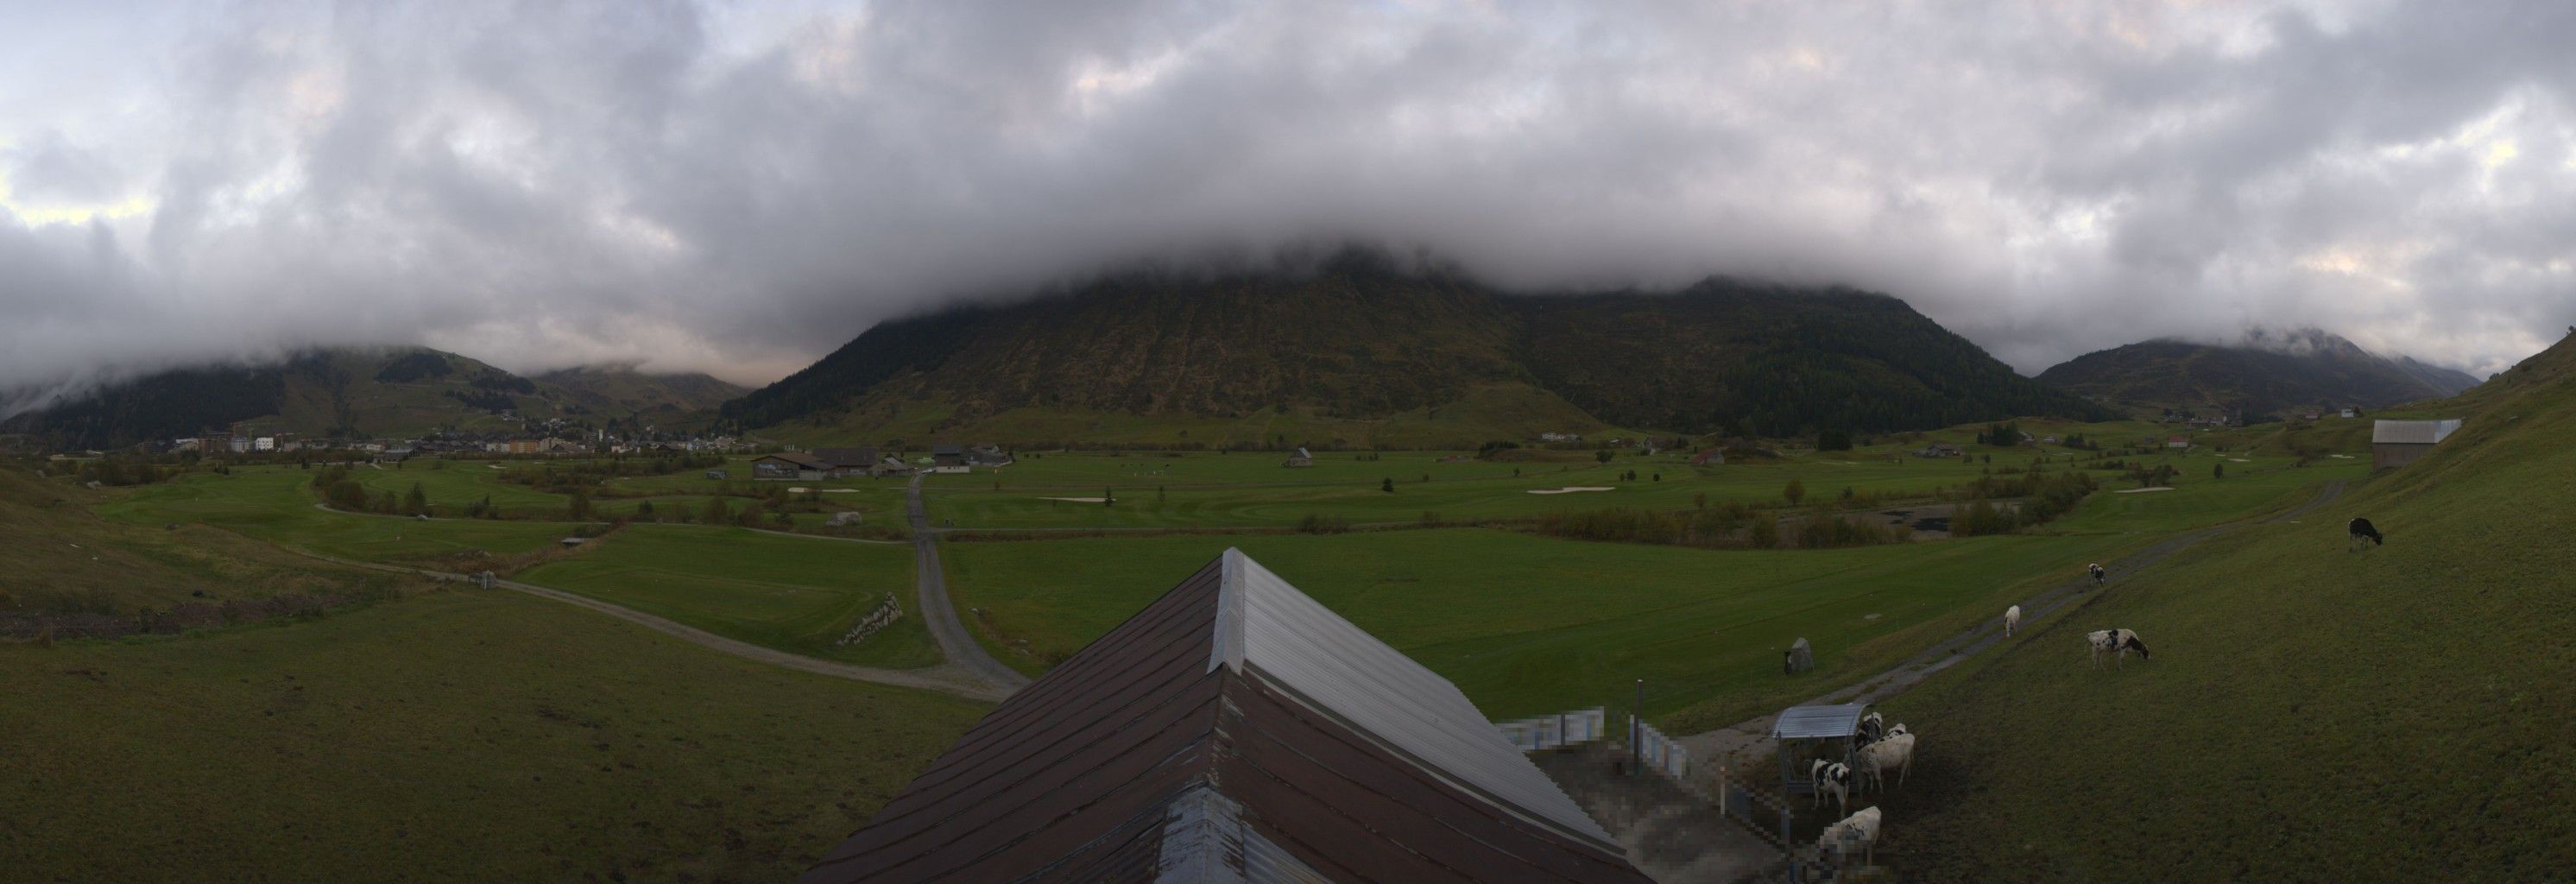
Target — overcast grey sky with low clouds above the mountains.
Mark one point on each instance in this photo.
(738, 189)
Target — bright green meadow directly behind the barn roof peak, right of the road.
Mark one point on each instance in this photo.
(1531, 625)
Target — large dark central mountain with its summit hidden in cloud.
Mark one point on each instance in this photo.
(1372, 354)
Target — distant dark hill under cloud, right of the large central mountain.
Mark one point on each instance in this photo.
(2266, 378)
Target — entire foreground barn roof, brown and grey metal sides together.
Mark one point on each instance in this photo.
(1233, 731)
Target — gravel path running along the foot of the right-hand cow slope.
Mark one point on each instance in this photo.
(1753, 736)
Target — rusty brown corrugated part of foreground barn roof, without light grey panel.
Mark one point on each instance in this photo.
(1137, 759)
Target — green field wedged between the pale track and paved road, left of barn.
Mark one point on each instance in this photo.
(777, 591)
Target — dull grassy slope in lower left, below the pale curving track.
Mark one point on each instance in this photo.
(455, 736)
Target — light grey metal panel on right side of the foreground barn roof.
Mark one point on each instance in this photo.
(1377, 689)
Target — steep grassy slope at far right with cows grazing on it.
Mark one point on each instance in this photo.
(2309, 715)
